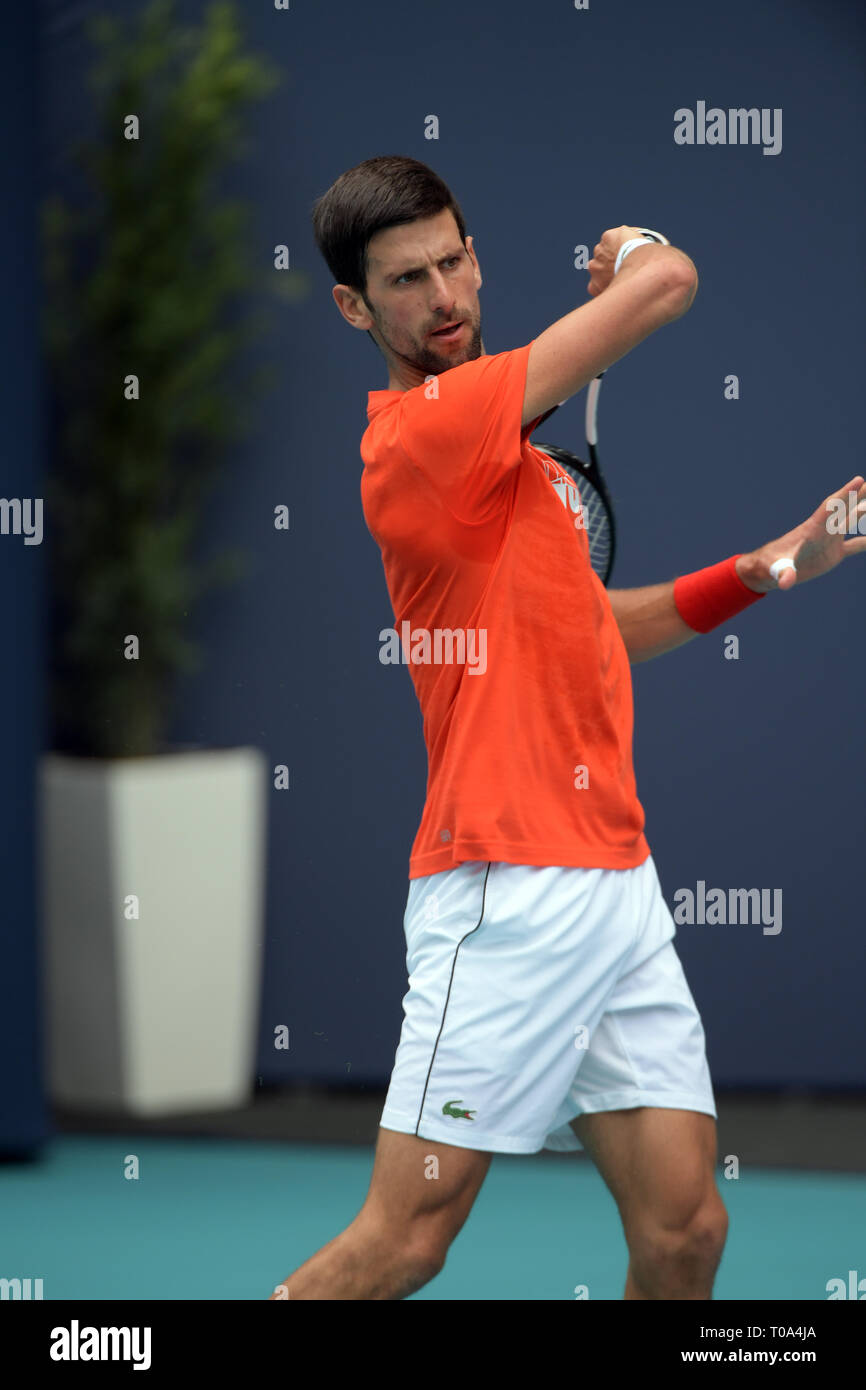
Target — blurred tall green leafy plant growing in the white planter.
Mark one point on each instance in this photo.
(145, 281)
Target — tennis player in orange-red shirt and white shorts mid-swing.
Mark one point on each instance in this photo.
(547, 1004)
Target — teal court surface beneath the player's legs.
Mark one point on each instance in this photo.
(230, 1220)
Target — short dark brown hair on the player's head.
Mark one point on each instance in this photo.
(387, 191)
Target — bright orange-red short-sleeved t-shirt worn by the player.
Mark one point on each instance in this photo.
(508, 633)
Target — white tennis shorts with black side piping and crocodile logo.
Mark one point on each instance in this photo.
(537, 996)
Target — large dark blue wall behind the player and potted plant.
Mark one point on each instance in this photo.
(555, 124)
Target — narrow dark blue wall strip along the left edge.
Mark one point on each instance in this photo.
(23, 1113)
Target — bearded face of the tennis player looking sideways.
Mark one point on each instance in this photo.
(420, 279)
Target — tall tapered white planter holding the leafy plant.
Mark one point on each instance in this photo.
(152, 1014)
